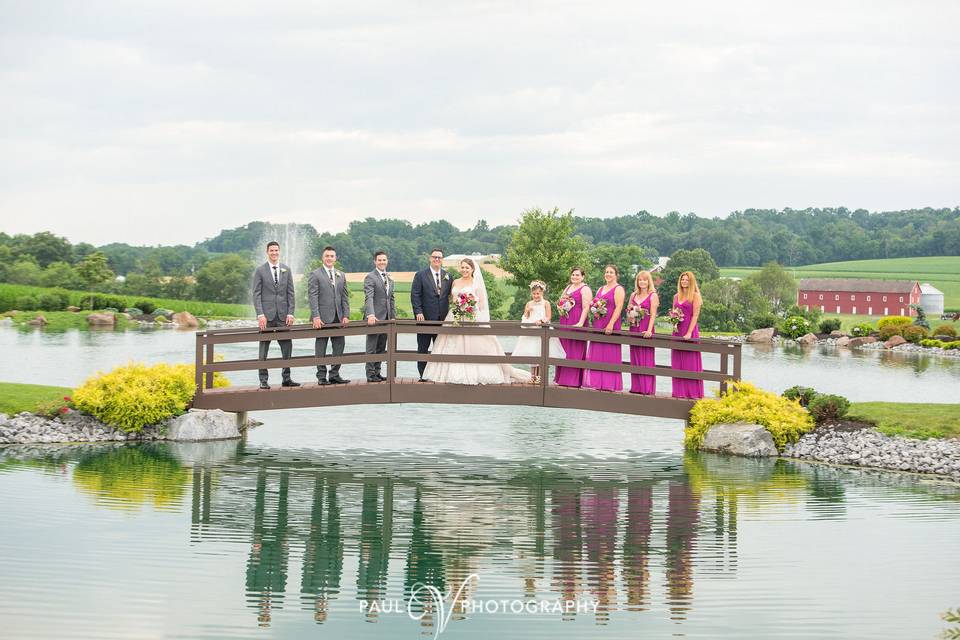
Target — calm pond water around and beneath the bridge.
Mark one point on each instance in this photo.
(322, 522)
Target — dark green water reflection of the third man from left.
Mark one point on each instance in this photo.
(376, 531)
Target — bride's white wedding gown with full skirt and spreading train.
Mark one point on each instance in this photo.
(467, 373)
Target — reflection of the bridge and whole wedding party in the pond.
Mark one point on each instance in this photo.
(609, 535)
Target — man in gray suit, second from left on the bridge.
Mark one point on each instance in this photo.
(329, 304)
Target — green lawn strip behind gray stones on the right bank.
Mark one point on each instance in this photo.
(911, 420)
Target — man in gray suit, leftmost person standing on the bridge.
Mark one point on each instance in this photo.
(273, 300)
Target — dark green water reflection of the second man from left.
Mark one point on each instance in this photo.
(323, 552)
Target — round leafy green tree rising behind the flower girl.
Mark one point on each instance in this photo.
(544, 247)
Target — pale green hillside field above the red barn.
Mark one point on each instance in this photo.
(943, 272)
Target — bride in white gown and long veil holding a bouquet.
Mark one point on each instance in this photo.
(471, 280)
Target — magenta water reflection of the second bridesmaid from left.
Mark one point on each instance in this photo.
(598, 507)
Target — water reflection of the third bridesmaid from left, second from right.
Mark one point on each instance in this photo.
(636, 545)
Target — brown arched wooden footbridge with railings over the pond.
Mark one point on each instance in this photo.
(396, 389)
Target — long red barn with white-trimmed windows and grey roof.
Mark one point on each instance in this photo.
(856, 296)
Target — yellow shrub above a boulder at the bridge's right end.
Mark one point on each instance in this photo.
(785, 419)
